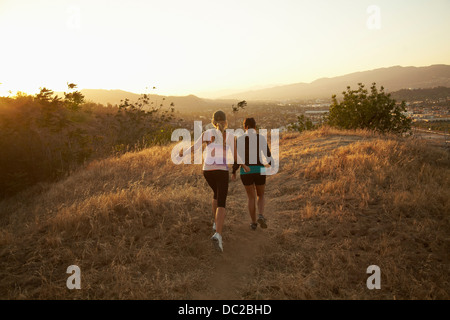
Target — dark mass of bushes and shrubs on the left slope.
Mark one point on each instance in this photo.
(45, 137)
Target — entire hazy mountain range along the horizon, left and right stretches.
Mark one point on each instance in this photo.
(392, 79)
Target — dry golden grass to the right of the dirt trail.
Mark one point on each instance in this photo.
(356, 200)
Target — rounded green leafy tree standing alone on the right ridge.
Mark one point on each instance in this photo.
(375, 111)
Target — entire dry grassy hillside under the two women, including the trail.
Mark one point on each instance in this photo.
(139, 227)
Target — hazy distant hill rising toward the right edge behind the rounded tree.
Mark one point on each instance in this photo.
(393, 79)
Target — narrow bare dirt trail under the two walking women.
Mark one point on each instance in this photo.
(233, 269)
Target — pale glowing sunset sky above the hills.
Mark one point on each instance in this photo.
(210, 47)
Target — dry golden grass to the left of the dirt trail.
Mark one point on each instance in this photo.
(132, 231)
